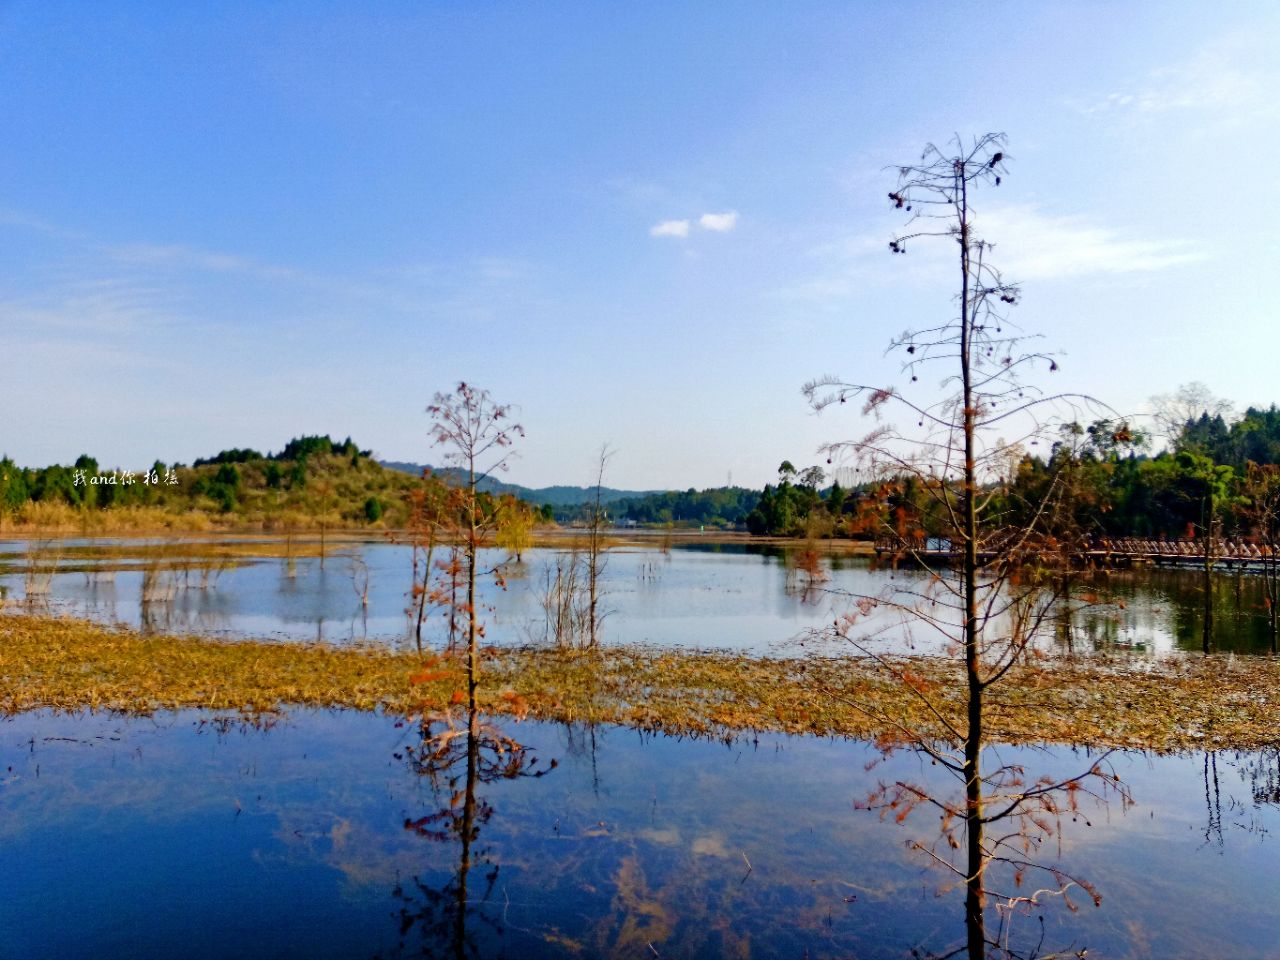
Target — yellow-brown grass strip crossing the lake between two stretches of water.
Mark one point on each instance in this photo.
(1165, 706)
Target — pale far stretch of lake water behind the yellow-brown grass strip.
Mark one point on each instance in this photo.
(724, 597)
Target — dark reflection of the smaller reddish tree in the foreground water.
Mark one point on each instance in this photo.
(458, 760)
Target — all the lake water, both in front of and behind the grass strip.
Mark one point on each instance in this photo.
(331, 835)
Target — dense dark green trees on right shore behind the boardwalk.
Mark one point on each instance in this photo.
(1214, 473)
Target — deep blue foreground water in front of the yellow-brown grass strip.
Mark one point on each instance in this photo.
(319, 838)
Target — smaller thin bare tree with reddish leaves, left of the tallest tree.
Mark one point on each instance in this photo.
(477, 436)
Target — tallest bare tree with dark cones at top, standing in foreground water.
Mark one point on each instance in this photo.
(994, 605)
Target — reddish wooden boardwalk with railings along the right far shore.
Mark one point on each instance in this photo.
(1119, 552)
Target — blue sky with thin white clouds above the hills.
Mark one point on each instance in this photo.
(646, 225)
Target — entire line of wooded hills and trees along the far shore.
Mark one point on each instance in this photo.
(1117, 488)
